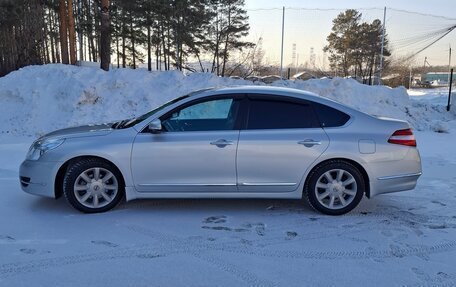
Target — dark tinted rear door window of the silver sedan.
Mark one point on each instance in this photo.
(272, 114)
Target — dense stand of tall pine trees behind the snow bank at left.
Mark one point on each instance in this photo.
(162, 33)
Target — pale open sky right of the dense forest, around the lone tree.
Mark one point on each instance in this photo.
(309, 28)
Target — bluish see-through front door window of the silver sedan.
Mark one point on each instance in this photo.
(209, 115)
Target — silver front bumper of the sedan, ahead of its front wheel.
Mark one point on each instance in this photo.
(38, 177)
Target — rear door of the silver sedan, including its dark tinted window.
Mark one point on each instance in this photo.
(281, 139)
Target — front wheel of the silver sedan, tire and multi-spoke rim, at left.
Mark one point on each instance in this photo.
(93, 185)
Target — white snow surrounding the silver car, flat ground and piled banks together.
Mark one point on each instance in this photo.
(403, 239)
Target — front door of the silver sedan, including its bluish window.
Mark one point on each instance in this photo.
(196, 152)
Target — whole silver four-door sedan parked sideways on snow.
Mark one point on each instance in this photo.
(236, 142)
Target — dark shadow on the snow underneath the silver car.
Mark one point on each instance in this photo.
(258, 206)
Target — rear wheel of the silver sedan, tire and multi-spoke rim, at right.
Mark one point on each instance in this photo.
(335, 187)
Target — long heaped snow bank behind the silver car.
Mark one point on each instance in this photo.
(39, 99)
